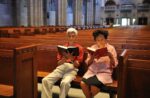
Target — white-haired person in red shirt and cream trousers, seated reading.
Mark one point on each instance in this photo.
(67, 68)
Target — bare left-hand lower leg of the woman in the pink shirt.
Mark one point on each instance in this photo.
(86, 89)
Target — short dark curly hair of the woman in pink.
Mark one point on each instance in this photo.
(96, 33)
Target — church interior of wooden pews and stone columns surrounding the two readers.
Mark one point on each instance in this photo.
(30, 31)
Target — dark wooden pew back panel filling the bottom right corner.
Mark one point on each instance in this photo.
(137, 82)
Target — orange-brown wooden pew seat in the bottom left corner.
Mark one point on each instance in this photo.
(6, 91)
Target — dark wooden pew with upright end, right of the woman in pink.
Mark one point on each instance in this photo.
(133, 71)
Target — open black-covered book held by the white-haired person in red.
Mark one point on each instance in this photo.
(70, 49)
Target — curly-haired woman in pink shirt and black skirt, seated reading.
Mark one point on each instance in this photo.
(100, 68)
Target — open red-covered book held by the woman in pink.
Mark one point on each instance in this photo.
(98, 52)
